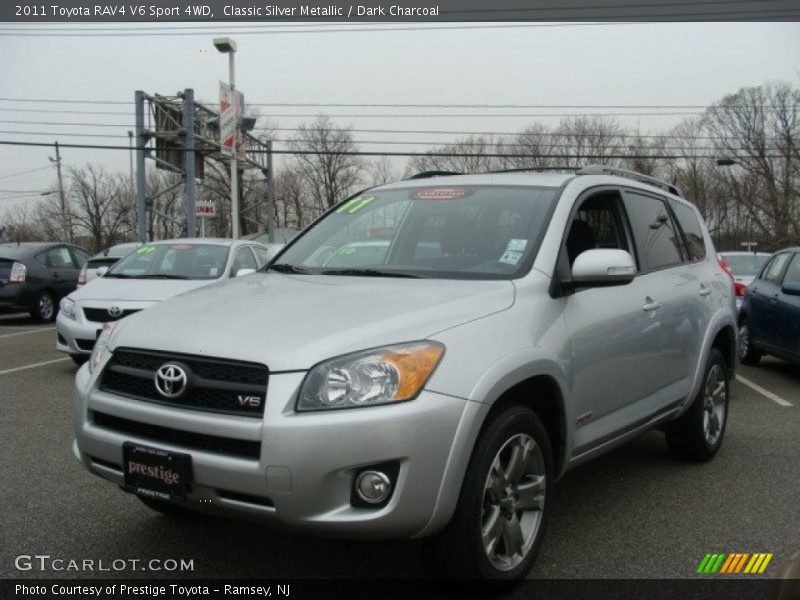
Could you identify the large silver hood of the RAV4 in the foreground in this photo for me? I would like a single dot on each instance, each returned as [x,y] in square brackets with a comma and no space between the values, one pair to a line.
[291,322]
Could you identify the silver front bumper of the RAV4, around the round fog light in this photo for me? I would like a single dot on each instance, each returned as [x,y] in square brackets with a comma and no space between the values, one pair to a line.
[303,476]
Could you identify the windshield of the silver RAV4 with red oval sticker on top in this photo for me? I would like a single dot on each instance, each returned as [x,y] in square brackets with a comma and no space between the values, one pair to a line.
[477,232]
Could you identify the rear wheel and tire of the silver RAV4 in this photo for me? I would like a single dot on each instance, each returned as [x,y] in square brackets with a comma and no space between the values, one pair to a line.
[697,435]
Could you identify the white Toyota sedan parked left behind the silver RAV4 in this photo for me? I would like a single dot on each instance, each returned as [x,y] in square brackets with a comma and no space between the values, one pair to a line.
[150,274]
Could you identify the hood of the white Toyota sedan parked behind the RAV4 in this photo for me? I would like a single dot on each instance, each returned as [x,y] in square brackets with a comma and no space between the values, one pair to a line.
[135,290]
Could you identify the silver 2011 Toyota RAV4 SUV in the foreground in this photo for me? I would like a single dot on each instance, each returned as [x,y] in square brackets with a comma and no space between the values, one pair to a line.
[488,333]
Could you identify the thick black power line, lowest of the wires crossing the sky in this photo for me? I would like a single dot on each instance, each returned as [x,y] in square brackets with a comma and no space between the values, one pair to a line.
[587,155]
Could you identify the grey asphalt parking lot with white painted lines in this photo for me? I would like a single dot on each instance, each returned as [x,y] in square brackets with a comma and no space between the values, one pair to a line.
[633,513]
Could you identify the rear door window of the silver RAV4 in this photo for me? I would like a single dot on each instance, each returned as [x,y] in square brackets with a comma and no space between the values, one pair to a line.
[657,240]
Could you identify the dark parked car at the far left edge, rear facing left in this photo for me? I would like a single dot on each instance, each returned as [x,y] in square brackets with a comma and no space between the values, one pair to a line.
[34,276]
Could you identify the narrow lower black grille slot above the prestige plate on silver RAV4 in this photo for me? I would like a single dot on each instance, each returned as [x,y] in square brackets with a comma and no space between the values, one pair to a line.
[185,439]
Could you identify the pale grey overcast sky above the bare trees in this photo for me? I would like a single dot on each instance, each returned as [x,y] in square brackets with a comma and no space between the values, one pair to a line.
[612,64]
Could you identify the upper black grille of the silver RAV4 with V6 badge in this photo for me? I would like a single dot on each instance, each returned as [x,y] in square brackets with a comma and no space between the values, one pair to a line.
[216,385]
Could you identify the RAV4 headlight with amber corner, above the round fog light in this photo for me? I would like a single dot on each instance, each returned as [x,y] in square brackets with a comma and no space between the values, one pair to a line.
[378,376]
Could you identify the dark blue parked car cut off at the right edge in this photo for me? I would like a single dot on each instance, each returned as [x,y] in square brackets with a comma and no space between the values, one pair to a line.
[769,321]
